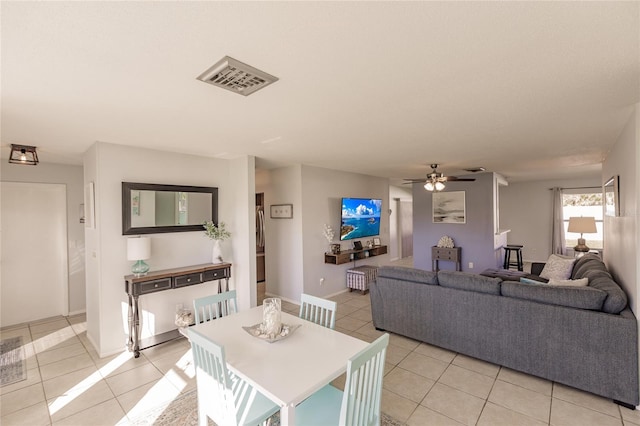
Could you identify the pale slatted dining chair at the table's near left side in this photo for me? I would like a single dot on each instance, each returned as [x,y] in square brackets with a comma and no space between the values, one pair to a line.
[222,396]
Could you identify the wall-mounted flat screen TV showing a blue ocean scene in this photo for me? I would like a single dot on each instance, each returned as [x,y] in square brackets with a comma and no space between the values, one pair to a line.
[360,218]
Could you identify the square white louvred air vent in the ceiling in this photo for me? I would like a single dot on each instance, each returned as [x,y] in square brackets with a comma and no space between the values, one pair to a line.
[233,75]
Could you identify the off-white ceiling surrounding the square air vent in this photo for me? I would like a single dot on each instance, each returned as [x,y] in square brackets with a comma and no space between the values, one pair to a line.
[528,89]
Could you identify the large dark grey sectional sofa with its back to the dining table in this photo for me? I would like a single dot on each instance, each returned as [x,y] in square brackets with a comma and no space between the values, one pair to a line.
[584,337]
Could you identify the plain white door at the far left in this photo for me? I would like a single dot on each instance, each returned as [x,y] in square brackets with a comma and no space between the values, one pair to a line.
[33,251]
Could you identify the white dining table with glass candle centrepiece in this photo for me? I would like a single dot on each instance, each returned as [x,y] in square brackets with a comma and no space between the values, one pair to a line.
[289,370]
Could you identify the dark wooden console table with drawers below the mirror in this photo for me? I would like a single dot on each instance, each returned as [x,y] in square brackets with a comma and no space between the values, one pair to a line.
[167,279]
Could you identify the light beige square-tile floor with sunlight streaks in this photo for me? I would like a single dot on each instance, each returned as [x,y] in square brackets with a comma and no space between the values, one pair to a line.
[68,384]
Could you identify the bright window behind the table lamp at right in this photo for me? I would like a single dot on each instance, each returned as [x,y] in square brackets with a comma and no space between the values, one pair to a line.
[578,203]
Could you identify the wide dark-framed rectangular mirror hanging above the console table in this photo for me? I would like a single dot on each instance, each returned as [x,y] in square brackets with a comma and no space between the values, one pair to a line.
[149,208]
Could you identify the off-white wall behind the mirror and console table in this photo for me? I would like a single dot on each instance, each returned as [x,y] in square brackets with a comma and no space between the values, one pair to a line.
[108,165]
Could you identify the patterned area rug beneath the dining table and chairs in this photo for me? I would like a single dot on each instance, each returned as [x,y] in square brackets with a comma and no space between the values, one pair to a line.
[183,411]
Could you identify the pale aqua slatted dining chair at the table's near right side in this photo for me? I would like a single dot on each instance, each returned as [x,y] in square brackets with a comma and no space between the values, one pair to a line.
[359,404]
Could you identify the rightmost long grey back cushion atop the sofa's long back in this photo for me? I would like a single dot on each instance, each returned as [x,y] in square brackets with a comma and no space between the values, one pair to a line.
[572,297]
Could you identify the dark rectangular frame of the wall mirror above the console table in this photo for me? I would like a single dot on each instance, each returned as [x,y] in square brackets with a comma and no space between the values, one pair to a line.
[127,187]
